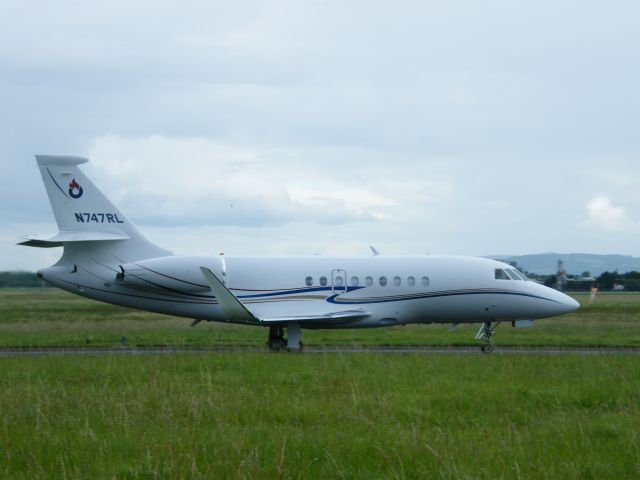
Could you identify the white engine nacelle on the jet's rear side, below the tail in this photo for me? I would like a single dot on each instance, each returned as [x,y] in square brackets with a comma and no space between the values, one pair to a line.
[179,274]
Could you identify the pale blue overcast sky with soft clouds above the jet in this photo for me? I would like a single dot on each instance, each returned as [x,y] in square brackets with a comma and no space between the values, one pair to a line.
[303,127]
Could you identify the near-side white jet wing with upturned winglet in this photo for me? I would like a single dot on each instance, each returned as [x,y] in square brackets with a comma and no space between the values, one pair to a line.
[235,310]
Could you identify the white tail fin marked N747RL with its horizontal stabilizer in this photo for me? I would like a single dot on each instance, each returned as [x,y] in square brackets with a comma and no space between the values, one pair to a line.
[84,214]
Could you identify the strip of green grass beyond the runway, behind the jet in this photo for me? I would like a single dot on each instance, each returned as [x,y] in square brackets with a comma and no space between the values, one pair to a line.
[53,318]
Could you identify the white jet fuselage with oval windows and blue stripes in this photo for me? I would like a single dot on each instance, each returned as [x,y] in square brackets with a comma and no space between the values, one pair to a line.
[393,290]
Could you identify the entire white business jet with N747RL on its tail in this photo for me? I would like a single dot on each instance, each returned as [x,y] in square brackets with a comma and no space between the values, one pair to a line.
[106,258]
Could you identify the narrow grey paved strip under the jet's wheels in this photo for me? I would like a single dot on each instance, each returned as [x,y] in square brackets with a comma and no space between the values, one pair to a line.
[400,350]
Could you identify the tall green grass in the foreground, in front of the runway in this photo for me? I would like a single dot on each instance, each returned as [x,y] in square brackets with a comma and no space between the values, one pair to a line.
[363,416]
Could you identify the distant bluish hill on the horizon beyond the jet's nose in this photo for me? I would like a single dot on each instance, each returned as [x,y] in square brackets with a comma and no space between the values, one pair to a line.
[574,263]
